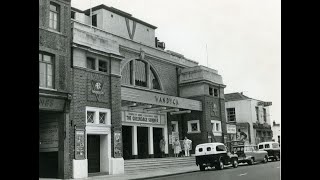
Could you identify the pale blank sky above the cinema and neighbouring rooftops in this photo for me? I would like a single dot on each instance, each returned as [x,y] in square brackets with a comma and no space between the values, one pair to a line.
[241,39]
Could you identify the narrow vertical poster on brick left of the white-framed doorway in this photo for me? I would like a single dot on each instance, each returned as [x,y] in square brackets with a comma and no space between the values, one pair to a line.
[79,144]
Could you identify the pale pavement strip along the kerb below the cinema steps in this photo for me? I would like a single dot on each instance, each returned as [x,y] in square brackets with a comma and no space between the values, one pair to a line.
[143,174]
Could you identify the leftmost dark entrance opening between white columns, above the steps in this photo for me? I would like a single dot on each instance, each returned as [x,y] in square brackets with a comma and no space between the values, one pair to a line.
[127,142]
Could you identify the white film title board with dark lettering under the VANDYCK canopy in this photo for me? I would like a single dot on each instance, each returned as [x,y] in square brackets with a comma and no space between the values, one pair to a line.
[142,117]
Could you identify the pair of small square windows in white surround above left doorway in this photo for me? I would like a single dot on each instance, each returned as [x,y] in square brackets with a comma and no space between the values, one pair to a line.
[96,116]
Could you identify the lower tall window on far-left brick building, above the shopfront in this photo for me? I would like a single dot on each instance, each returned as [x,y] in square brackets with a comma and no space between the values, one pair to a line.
[46,70]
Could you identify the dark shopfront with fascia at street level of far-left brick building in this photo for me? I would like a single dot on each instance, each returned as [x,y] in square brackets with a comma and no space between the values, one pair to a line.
[53,149]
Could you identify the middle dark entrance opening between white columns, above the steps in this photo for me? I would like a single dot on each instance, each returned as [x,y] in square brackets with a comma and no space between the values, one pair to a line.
[142,138]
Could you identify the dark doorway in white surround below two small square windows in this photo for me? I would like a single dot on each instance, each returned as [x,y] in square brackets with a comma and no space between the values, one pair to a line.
[93,153]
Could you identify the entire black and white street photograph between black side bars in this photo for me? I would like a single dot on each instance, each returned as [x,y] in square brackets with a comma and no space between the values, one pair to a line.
[160,89]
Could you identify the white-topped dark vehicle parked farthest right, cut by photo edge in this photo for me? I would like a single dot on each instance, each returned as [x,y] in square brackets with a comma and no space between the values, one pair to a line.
[273,149]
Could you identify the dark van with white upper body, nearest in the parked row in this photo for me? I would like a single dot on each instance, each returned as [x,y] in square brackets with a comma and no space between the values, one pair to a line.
[214,155]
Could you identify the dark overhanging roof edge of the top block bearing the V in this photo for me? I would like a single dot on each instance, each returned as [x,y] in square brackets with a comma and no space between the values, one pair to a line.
[119,12]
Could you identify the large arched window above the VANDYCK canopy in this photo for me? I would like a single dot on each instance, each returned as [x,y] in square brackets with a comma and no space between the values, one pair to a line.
[140,73]
